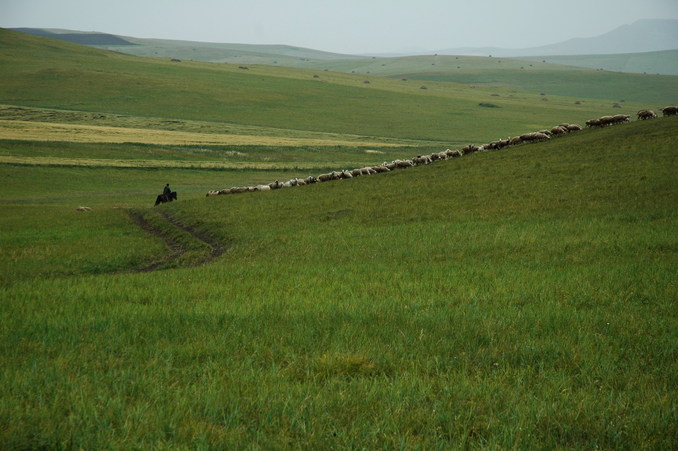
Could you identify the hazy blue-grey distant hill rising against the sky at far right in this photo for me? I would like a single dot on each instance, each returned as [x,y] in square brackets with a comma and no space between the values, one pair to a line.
[641,36]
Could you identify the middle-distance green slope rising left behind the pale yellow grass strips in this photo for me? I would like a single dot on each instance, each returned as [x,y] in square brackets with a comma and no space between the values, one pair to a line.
[47,73]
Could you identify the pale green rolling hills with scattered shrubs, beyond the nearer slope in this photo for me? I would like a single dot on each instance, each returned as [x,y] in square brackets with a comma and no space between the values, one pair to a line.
[574,75]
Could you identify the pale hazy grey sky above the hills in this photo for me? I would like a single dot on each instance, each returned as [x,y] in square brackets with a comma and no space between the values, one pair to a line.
[344,26]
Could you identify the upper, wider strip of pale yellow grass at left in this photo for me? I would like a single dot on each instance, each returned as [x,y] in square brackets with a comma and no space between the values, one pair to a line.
[45,131]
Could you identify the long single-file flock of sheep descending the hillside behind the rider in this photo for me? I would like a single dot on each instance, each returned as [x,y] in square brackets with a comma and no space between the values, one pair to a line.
[542,135]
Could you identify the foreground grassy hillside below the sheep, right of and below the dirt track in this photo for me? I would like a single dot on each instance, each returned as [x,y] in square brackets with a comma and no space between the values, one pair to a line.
[518,299]
